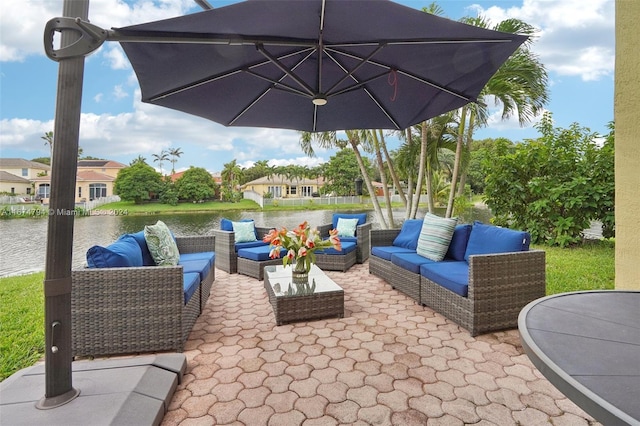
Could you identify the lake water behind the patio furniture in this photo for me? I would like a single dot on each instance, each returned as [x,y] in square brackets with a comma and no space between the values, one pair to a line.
[24,241]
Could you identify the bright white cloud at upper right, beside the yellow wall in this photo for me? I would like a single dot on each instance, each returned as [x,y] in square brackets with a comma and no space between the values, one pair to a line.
[576,38]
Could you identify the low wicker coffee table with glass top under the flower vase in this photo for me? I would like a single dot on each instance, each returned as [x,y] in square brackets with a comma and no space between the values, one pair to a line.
[321,298]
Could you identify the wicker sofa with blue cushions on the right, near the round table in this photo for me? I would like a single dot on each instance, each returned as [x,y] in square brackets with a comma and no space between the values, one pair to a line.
[481,284]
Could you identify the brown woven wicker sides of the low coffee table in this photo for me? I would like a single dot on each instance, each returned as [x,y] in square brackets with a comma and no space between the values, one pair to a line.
[305,308]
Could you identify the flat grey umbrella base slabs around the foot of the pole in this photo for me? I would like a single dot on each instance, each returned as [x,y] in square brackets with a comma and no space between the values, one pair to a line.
[132,391]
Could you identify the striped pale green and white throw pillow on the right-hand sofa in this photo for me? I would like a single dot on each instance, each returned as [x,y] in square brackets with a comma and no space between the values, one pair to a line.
[435,236]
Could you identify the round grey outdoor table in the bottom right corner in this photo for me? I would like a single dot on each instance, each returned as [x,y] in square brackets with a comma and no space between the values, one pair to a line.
[587,344]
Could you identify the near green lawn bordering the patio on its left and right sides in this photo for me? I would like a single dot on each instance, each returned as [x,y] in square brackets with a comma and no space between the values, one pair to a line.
[587,267]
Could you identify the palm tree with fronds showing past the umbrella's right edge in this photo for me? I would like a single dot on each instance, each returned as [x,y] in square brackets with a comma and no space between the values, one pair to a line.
[520,85]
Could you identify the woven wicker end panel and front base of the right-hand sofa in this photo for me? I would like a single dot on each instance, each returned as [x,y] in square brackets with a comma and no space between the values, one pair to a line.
[500,285]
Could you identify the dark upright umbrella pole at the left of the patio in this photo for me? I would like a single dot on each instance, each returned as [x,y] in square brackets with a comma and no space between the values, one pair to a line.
[57,282]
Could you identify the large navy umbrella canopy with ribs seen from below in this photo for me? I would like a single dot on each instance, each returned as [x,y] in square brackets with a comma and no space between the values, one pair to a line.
[314,65]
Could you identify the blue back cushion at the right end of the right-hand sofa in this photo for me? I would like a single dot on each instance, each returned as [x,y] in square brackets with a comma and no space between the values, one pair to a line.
[486,239]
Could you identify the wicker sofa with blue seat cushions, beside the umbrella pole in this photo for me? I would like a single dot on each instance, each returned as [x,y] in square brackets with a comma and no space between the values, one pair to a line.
[124,310]
